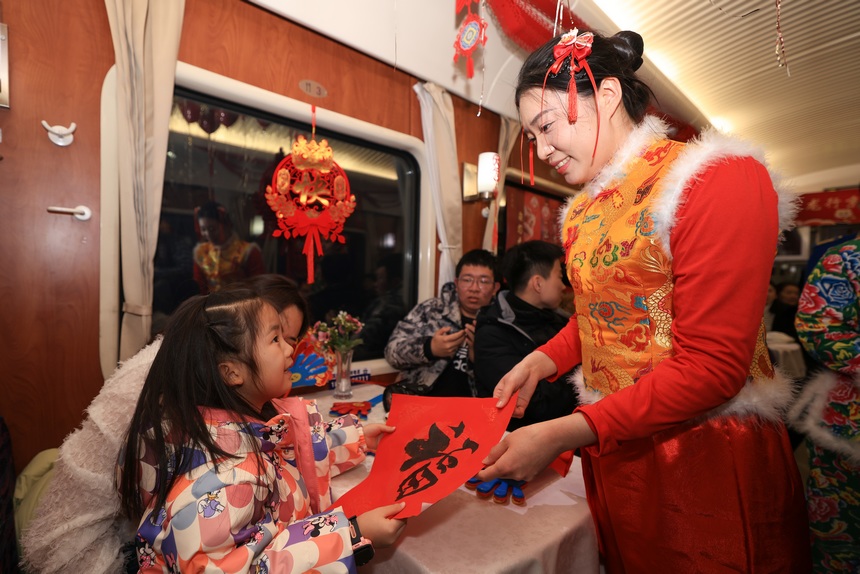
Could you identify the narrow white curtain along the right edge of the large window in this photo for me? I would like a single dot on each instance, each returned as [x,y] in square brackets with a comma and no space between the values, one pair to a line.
[437,120]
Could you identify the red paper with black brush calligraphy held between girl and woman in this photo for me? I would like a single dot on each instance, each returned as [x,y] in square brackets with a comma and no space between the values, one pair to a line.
[438,445]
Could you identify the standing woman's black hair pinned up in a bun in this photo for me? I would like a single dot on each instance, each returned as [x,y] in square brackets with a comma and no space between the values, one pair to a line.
[618,57]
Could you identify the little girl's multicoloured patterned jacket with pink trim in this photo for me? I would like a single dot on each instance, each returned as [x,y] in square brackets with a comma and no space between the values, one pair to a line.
[250,515]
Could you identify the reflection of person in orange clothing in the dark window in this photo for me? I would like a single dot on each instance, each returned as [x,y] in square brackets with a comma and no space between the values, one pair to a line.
[222,257]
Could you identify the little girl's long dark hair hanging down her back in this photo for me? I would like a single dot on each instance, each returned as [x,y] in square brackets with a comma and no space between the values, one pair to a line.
[205,331]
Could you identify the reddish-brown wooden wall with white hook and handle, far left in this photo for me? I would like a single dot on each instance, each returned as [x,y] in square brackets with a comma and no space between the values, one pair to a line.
[59,53]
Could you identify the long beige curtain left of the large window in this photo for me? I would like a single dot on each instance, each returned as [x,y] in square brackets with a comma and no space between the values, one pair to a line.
[145,37]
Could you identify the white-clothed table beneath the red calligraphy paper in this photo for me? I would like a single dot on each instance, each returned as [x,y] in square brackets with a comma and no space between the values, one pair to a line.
[553,532]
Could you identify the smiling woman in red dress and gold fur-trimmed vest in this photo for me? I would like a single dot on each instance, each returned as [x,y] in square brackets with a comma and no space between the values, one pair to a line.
[669,248]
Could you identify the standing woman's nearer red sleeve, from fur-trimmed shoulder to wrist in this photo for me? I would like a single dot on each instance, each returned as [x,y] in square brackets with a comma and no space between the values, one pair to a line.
[723,246]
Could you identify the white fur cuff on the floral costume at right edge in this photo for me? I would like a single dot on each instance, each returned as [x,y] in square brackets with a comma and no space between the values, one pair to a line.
[807,416]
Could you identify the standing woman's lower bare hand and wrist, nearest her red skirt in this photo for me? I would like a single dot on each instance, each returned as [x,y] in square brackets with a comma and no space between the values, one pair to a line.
[528,450]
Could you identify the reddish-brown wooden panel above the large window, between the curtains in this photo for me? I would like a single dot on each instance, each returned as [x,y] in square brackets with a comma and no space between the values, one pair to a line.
[245,42]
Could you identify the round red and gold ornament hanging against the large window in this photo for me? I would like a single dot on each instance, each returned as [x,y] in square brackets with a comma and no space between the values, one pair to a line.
[310,196]
